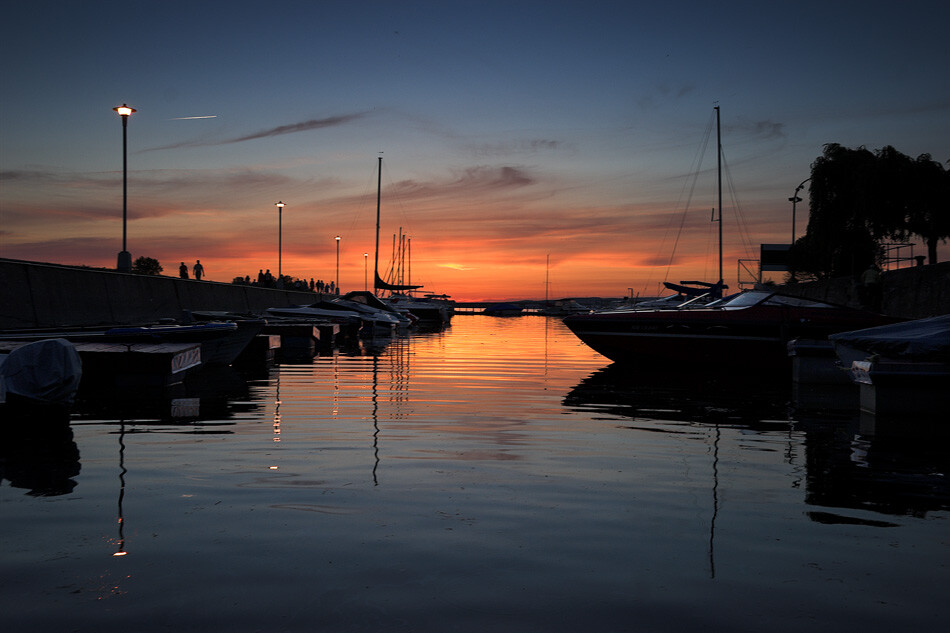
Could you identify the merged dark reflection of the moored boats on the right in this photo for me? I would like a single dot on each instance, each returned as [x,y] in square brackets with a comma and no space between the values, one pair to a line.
[852,461]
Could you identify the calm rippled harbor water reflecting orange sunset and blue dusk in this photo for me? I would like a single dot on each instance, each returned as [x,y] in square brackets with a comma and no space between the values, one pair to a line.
[497,476]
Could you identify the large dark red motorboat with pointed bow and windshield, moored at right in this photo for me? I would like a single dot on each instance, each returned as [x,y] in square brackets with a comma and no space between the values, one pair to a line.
[749,330]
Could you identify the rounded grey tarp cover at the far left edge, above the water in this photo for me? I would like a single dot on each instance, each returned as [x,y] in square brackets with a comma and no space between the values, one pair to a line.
[47,370]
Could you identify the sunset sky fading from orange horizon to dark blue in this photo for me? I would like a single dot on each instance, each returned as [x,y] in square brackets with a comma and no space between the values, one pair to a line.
[513,134]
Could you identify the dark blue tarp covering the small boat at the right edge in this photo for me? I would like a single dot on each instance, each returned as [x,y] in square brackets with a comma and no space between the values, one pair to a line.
[922,339]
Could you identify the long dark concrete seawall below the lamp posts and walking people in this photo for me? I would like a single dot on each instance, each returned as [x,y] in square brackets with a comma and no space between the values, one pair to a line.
[48,295]
